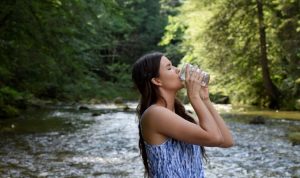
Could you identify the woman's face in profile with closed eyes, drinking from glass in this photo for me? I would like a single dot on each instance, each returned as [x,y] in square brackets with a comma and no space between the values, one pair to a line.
[169,75]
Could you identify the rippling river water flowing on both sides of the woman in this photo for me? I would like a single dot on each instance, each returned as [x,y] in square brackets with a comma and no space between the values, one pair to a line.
[67,142]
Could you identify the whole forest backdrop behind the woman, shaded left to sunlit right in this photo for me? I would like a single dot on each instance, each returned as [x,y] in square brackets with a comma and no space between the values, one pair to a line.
[82,51]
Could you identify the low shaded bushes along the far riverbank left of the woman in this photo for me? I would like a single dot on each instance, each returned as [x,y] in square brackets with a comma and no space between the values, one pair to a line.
[14,103]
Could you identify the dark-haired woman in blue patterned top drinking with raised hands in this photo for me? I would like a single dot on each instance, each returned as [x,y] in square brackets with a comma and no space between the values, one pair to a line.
[172,142]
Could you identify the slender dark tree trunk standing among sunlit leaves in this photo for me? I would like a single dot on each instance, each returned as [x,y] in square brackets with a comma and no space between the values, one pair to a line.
[270,88]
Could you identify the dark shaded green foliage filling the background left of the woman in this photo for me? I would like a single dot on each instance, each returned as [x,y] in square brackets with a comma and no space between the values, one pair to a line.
[74,50]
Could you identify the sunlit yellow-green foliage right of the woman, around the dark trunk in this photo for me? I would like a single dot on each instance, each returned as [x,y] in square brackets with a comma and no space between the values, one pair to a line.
[222,37]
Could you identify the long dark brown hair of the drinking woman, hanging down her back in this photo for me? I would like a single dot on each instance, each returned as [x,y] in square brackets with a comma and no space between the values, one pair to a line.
[144,69]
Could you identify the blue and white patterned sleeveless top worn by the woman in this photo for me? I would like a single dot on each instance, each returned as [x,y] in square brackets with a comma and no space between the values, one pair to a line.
[174,159]
